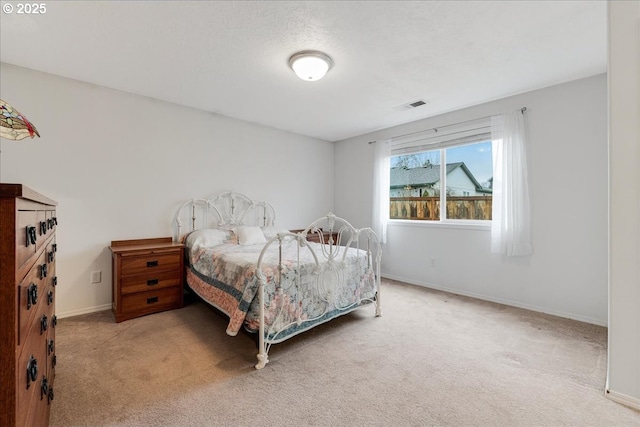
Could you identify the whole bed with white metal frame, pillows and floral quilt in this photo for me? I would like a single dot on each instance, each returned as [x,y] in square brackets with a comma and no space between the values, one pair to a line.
[270,281]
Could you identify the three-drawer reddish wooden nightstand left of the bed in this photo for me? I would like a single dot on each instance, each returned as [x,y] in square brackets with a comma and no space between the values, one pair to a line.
[147,276]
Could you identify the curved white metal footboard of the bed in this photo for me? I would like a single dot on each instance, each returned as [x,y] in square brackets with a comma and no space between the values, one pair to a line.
[358,248]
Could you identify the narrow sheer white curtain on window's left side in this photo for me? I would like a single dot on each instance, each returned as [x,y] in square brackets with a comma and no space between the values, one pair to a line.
[381,173]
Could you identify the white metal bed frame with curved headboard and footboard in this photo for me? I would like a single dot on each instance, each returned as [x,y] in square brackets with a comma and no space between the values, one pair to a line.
[233,209]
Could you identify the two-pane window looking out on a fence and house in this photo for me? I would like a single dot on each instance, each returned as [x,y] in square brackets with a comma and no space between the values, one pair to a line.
[420,185]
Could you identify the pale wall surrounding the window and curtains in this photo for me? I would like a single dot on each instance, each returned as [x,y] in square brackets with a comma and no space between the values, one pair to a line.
[567,274]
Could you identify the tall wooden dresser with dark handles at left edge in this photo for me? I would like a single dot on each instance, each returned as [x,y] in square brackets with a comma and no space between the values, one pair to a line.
[27,305]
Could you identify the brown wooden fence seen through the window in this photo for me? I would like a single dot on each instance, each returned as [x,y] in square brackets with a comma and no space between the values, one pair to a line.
[428,208]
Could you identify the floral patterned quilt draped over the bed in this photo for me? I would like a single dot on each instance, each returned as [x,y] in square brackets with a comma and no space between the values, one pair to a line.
[299,295]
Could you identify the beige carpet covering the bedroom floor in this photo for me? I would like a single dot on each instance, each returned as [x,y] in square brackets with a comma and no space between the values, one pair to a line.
[432,359]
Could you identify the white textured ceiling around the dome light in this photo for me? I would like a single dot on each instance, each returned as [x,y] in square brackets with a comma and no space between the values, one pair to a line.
[231,58]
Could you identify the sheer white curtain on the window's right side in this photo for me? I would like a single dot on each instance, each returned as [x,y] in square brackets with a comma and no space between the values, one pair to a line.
[511,216]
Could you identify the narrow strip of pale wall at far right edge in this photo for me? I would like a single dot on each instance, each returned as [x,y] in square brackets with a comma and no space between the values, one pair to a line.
[623,383]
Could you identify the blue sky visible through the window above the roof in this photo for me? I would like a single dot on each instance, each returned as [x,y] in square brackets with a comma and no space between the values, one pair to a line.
[477,157]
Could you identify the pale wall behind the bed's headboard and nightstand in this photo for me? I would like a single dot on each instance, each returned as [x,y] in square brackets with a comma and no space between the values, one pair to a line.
[120,164]
